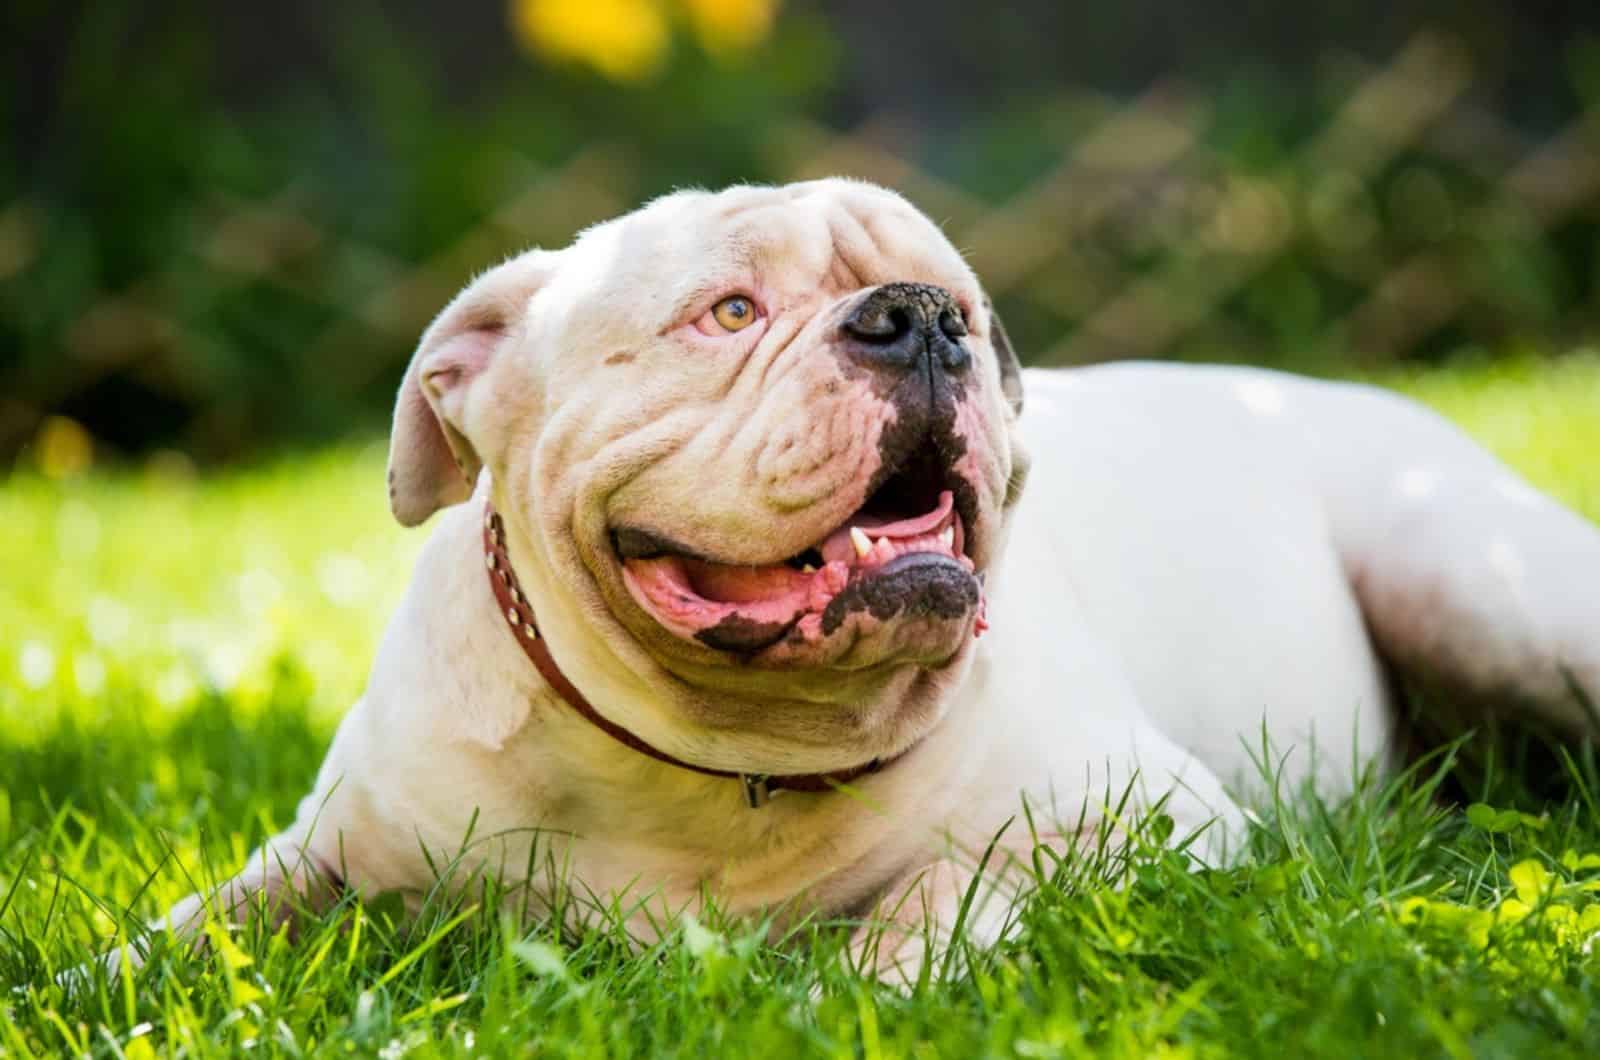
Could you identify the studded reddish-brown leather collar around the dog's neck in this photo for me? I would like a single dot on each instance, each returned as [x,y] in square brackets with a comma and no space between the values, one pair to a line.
[518,611]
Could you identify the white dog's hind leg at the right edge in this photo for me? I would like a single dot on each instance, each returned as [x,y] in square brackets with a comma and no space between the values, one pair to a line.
[1473,584]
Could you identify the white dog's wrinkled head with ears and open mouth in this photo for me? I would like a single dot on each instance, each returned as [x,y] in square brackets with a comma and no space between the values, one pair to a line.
[754,452]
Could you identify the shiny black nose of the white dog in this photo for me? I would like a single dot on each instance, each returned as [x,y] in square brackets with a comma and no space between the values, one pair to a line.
[900,326]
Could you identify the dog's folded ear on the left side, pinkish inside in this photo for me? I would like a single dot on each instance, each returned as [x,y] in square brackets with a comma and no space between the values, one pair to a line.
[431,459]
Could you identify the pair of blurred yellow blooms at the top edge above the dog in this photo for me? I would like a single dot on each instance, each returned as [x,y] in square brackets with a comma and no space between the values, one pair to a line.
[628,39]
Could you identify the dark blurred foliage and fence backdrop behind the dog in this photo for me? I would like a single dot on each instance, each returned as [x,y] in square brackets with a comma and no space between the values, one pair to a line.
[225,225]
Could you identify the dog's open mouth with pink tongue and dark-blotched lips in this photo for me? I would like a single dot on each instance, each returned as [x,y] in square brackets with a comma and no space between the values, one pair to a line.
[902,555]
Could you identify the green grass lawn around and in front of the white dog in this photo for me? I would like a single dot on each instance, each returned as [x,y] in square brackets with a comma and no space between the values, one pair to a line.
[174,656]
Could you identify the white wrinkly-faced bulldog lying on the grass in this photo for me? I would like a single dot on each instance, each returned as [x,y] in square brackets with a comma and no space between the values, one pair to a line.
[750,600]
